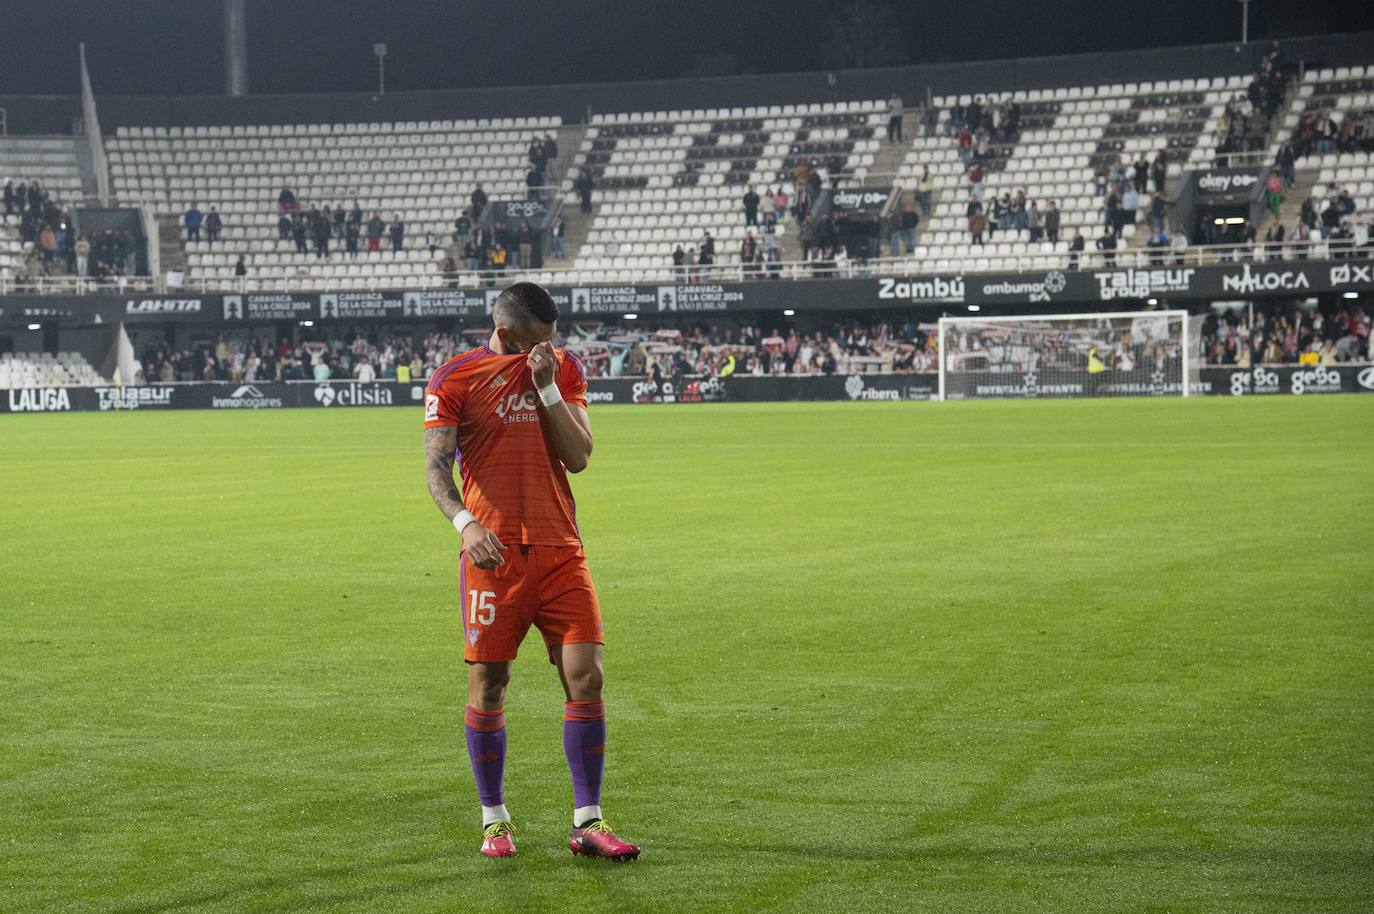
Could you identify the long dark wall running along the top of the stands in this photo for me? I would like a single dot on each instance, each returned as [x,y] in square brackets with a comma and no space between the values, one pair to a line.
[53,115]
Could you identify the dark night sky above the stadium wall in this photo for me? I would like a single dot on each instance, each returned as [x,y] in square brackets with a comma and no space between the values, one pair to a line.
[175,47]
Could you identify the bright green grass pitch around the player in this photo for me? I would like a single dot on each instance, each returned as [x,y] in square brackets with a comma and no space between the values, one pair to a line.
[1078,656]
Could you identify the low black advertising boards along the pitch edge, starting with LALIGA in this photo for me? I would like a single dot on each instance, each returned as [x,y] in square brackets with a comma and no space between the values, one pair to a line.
[1263,380]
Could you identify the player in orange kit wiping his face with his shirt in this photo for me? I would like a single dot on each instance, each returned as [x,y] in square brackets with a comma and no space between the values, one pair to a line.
[515,416]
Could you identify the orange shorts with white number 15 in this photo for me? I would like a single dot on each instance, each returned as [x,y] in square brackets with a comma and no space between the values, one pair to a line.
[546,586]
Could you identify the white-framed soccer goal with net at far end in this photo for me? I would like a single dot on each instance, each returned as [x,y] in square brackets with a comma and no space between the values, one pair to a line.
[1130,354]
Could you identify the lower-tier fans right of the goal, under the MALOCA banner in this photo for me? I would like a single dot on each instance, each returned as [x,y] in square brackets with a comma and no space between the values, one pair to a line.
[1288,335]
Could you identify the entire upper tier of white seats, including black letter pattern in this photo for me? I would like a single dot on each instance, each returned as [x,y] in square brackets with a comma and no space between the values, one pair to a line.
[666,179]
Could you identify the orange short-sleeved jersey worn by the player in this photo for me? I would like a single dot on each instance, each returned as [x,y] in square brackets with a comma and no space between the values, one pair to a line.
[513,482]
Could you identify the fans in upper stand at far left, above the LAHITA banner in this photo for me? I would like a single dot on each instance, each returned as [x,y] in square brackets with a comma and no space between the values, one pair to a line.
[52,244]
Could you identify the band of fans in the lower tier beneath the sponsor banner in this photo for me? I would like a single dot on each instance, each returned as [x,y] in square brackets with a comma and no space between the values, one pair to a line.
[1277,335]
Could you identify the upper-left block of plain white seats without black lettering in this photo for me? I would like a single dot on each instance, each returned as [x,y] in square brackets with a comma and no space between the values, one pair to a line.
[423,171]
